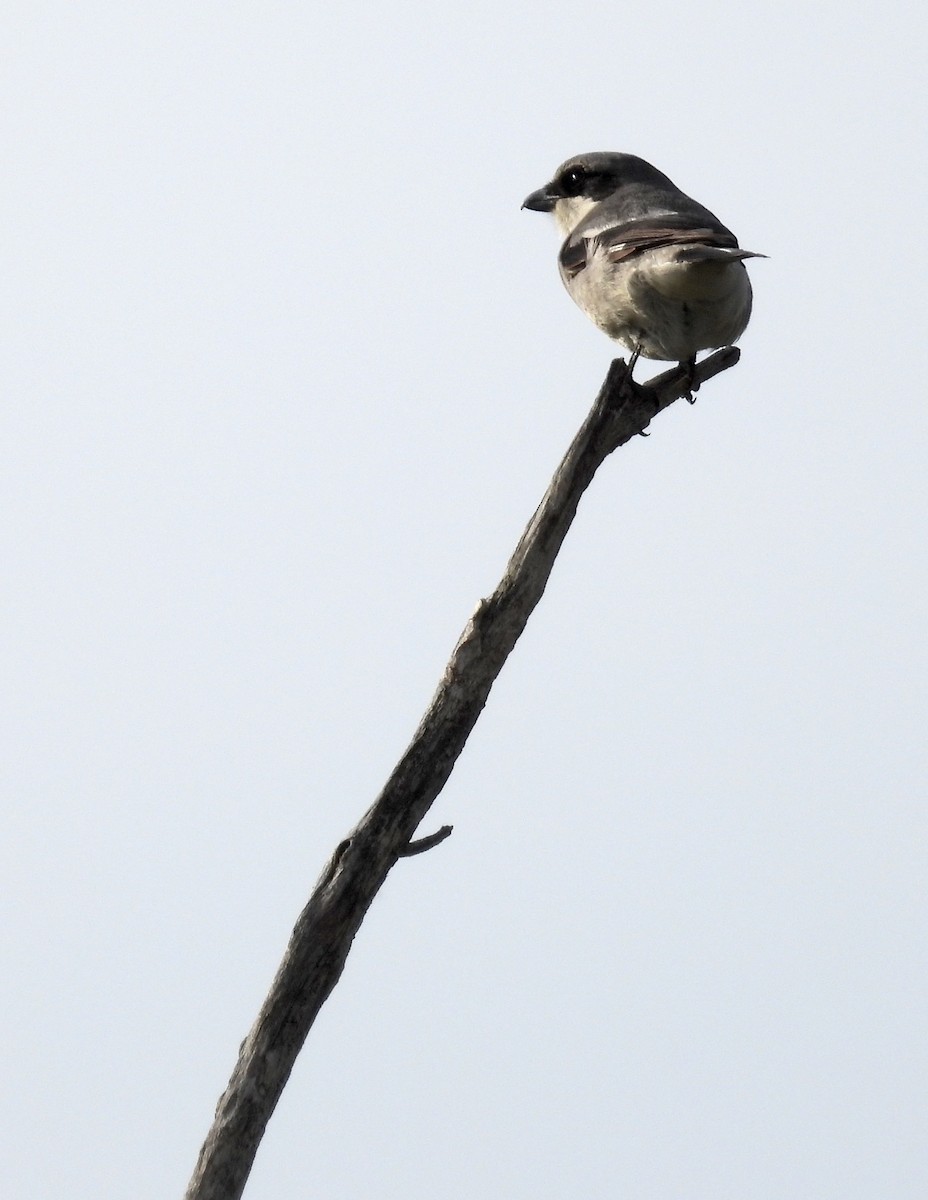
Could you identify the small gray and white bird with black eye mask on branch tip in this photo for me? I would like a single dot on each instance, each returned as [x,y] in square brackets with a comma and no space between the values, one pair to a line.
[652,268]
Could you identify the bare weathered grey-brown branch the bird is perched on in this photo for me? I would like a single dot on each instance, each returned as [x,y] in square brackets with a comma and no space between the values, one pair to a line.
[325,932]
